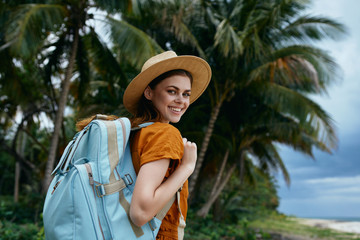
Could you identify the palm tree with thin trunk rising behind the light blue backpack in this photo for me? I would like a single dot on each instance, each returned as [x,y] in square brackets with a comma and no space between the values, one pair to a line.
[62,32]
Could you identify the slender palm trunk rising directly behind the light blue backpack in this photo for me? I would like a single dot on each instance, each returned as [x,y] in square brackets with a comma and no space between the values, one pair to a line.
[60,113]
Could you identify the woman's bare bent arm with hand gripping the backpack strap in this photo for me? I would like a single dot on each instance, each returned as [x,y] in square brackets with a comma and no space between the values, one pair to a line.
[150,193]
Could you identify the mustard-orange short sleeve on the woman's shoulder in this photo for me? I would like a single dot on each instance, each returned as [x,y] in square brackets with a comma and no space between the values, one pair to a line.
[161,141]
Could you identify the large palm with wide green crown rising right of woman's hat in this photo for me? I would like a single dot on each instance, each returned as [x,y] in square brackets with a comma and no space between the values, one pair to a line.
[242,42]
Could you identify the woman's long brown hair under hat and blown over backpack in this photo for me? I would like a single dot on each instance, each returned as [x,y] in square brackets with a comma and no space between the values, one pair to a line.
[146,112]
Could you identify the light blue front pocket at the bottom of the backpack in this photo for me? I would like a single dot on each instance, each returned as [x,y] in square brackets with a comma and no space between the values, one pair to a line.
[70,210]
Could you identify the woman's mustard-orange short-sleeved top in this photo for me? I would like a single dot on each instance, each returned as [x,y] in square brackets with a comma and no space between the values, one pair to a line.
[155,142]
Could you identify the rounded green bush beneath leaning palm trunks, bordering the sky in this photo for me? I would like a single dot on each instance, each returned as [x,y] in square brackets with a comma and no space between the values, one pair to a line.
[249,198]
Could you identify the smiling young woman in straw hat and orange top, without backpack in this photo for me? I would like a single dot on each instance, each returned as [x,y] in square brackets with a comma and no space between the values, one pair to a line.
[163,160]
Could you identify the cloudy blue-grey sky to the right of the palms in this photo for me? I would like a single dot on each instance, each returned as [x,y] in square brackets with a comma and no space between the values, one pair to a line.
[329,186]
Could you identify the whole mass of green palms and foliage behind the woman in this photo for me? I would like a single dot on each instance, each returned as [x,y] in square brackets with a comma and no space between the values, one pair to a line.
[63,60]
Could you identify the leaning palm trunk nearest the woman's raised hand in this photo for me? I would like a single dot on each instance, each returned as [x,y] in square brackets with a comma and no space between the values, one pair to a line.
[204,146]
